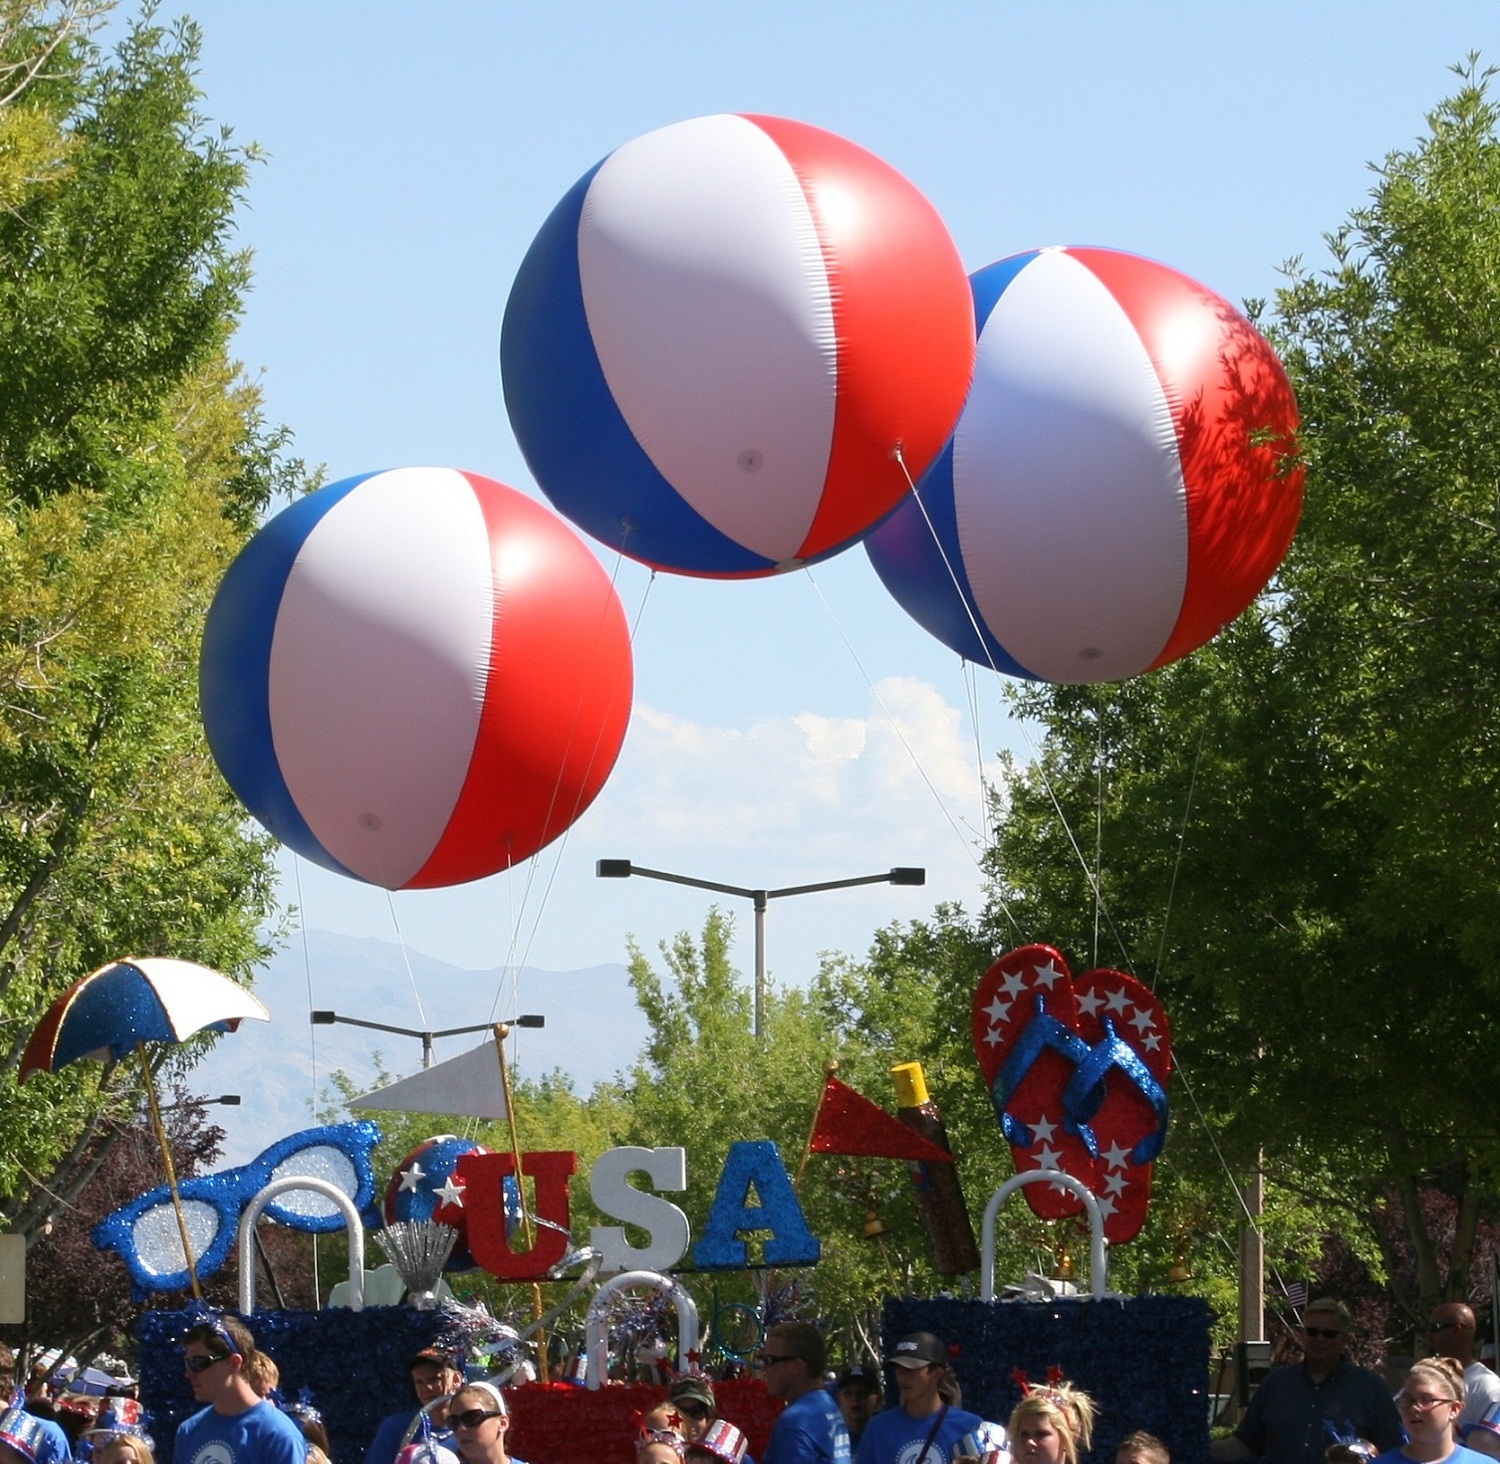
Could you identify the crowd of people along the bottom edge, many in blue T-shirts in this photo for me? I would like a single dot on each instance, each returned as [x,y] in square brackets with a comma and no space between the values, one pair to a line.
[1319,1411]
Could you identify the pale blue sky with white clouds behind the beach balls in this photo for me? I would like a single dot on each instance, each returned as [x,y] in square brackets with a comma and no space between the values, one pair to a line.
[785,731]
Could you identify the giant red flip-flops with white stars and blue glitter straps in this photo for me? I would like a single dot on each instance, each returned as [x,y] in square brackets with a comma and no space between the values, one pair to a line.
[1078,1073]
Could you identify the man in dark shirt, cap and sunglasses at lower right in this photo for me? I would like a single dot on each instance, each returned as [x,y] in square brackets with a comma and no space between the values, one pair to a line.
[1298,1409]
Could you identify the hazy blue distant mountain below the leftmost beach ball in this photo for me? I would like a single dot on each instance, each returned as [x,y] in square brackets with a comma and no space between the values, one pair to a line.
[593,1031]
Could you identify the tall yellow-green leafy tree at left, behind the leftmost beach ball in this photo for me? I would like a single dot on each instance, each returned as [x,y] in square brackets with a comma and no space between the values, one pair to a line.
[134,461]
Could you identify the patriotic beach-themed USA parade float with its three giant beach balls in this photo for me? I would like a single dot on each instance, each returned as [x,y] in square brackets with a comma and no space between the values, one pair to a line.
[737,346]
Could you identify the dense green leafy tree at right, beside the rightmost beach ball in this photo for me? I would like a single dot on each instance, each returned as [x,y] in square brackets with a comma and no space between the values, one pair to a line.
[1298,823]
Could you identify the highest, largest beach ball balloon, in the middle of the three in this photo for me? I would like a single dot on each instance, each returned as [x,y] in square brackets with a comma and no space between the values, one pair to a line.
[727,340]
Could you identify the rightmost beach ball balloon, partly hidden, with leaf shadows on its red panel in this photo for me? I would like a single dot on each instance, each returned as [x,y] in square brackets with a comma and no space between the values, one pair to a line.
[1118,488]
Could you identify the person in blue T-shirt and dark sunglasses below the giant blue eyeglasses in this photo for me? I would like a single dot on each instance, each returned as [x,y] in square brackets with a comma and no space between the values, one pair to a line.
[235,1423]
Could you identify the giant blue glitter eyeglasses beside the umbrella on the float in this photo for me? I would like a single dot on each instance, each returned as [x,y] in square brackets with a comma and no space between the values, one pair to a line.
[214,1204]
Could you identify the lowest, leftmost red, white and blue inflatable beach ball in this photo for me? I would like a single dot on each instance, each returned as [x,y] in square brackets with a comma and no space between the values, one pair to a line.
[416,677]
